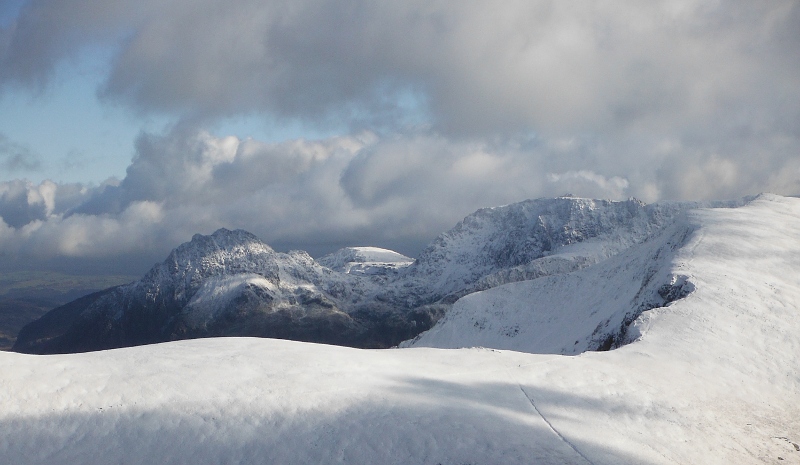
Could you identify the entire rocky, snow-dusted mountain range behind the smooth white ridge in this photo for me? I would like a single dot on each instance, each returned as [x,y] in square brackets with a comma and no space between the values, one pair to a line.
[232,284]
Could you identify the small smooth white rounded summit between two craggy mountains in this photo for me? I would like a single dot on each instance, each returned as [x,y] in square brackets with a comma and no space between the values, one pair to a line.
[366,260]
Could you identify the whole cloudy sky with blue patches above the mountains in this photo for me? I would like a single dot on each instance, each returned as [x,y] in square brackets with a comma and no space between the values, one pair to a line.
[127,127]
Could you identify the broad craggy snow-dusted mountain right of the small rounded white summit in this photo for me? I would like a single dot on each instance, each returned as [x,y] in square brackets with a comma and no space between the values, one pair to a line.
[535,238]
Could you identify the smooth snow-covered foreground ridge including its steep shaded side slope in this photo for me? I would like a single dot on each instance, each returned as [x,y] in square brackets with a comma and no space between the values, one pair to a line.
[711,377]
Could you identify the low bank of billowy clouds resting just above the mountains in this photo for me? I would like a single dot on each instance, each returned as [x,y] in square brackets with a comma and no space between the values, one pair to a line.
[395,191]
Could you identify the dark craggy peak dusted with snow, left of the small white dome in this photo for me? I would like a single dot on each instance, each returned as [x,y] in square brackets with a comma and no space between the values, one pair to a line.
[228,283]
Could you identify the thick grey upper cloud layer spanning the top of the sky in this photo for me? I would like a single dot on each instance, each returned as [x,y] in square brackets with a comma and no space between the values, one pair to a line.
[478,67]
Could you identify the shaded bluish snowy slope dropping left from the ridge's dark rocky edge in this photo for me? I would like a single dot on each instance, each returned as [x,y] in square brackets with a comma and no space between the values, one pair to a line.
[569,313]
